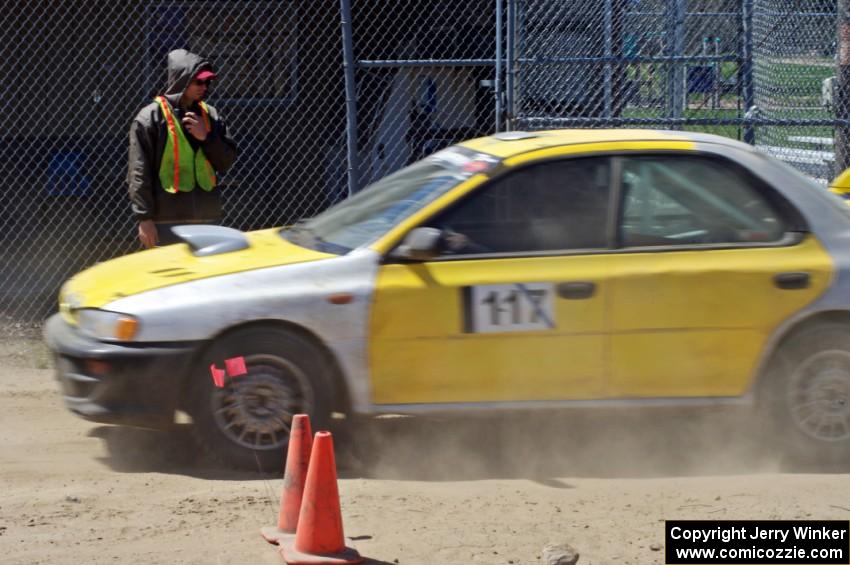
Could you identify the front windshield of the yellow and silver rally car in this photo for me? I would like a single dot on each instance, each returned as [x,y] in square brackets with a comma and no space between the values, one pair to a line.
[363,218]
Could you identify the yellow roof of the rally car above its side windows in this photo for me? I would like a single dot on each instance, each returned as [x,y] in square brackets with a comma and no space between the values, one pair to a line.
[508,144]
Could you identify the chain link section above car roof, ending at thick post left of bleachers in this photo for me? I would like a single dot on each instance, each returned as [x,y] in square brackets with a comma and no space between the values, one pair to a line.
[656,63]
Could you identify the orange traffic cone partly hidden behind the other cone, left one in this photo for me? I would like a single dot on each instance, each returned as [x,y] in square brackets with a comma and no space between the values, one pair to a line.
[297,459]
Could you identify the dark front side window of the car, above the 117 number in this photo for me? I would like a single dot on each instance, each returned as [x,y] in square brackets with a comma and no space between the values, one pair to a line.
[551,206]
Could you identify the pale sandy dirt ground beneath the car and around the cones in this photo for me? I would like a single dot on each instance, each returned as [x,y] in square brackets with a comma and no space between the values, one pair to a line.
[493,490]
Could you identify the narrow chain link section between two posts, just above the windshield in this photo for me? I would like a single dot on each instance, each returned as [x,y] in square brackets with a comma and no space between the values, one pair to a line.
[423,79]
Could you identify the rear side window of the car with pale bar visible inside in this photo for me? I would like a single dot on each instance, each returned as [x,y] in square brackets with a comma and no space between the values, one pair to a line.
[685,200]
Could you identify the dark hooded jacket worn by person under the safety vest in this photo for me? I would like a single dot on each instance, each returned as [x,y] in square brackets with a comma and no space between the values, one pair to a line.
[148,136]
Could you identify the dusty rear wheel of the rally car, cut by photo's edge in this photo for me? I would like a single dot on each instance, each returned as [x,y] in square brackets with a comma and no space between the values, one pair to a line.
[806,396]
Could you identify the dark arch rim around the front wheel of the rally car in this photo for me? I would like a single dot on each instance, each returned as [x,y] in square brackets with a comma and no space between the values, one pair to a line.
[340,395]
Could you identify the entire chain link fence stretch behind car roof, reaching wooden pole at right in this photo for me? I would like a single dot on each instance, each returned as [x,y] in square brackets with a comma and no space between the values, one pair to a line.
[748,69]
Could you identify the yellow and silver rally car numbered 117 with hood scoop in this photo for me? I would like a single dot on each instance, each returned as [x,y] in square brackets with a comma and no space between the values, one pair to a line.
[522,270]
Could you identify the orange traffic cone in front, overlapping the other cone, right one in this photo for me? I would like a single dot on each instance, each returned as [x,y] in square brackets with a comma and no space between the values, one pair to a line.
[319,539]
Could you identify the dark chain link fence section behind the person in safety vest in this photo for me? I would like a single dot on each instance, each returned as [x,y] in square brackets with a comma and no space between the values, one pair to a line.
[74,74]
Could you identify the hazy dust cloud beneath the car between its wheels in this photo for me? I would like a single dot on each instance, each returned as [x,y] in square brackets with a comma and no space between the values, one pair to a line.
[610,443]
